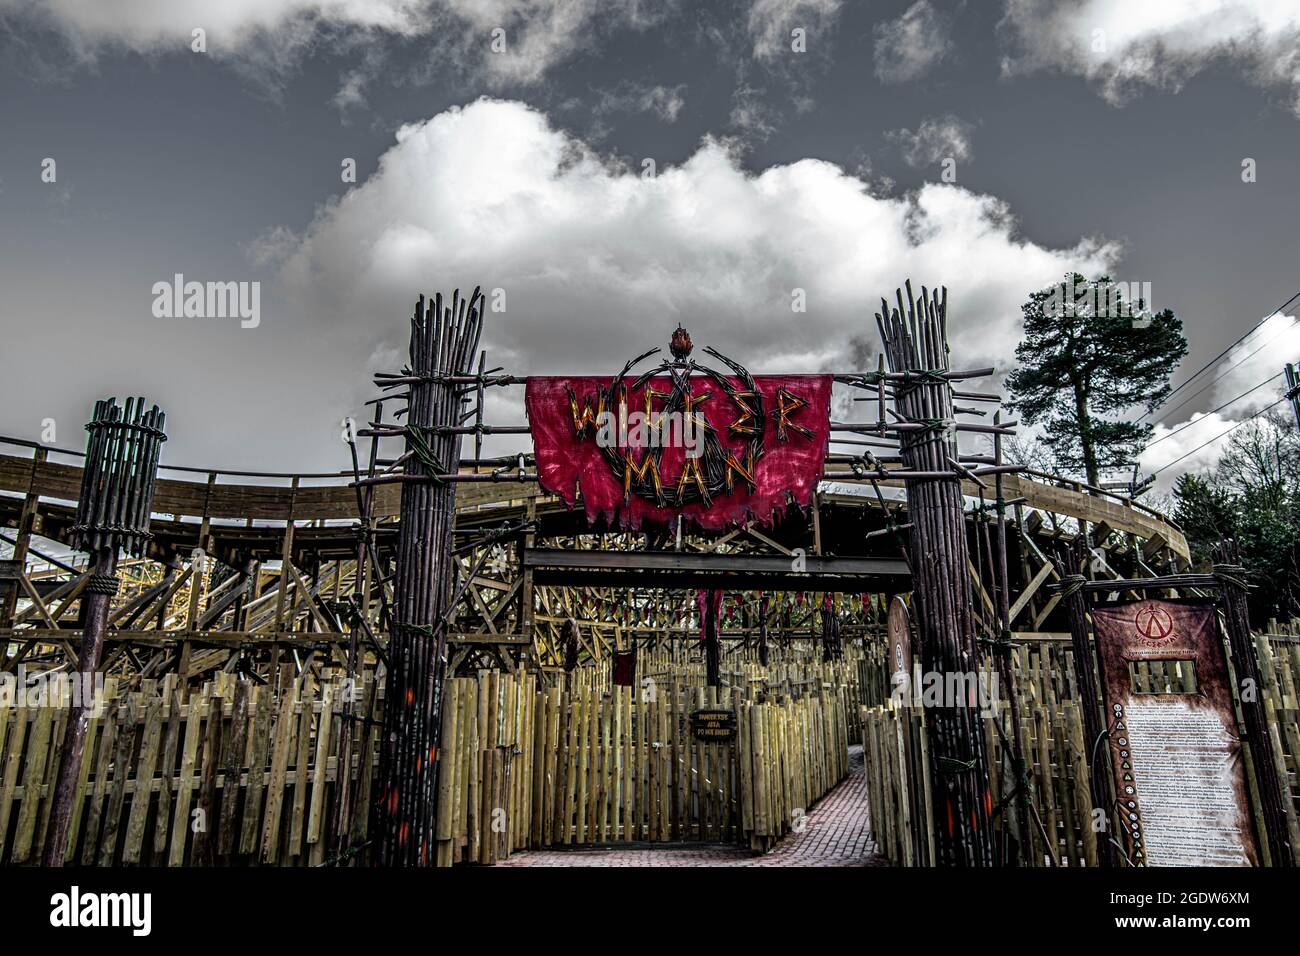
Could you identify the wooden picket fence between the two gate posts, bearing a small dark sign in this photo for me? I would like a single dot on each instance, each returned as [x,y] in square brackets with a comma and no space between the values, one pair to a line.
[575,765]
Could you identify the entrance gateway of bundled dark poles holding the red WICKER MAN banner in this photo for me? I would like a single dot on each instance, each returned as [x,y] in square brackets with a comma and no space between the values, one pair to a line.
[766,445]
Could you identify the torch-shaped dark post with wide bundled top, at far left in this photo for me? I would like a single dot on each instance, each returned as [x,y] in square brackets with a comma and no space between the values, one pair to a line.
[112,513]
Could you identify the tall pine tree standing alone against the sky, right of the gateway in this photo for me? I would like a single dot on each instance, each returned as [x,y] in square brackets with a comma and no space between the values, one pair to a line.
[1089,356]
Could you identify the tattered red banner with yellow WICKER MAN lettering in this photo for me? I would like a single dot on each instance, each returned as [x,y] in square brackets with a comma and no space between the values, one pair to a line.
[717,449]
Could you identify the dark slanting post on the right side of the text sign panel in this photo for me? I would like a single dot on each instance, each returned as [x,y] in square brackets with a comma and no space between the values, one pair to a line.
[1232,579]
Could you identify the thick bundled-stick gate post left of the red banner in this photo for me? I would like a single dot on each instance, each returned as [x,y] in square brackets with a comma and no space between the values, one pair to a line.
[444,341]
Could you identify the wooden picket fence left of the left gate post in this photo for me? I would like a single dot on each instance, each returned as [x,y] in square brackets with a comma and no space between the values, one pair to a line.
[232,777]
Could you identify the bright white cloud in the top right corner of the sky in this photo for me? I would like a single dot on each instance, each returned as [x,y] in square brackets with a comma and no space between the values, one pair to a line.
[1162,44]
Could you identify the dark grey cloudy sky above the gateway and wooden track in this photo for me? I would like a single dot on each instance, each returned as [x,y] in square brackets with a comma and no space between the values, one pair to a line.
[1091,136]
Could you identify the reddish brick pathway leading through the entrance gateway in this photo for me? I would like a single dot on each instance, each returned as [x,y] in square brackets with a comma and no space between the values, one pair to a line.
[835,836]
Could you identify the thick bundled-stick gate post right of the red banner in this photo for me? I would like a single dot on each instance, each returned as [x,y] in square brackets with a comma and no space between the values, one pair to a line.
[916,344]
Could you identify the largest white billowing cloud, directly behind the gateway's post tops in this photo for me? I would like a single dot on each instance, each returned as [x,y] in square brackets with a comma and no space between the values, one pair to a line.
[599,262]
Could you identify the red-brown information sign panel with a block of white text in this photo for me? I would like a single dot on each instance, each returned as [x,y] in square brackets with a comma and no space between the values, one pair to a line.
[1175,747]
